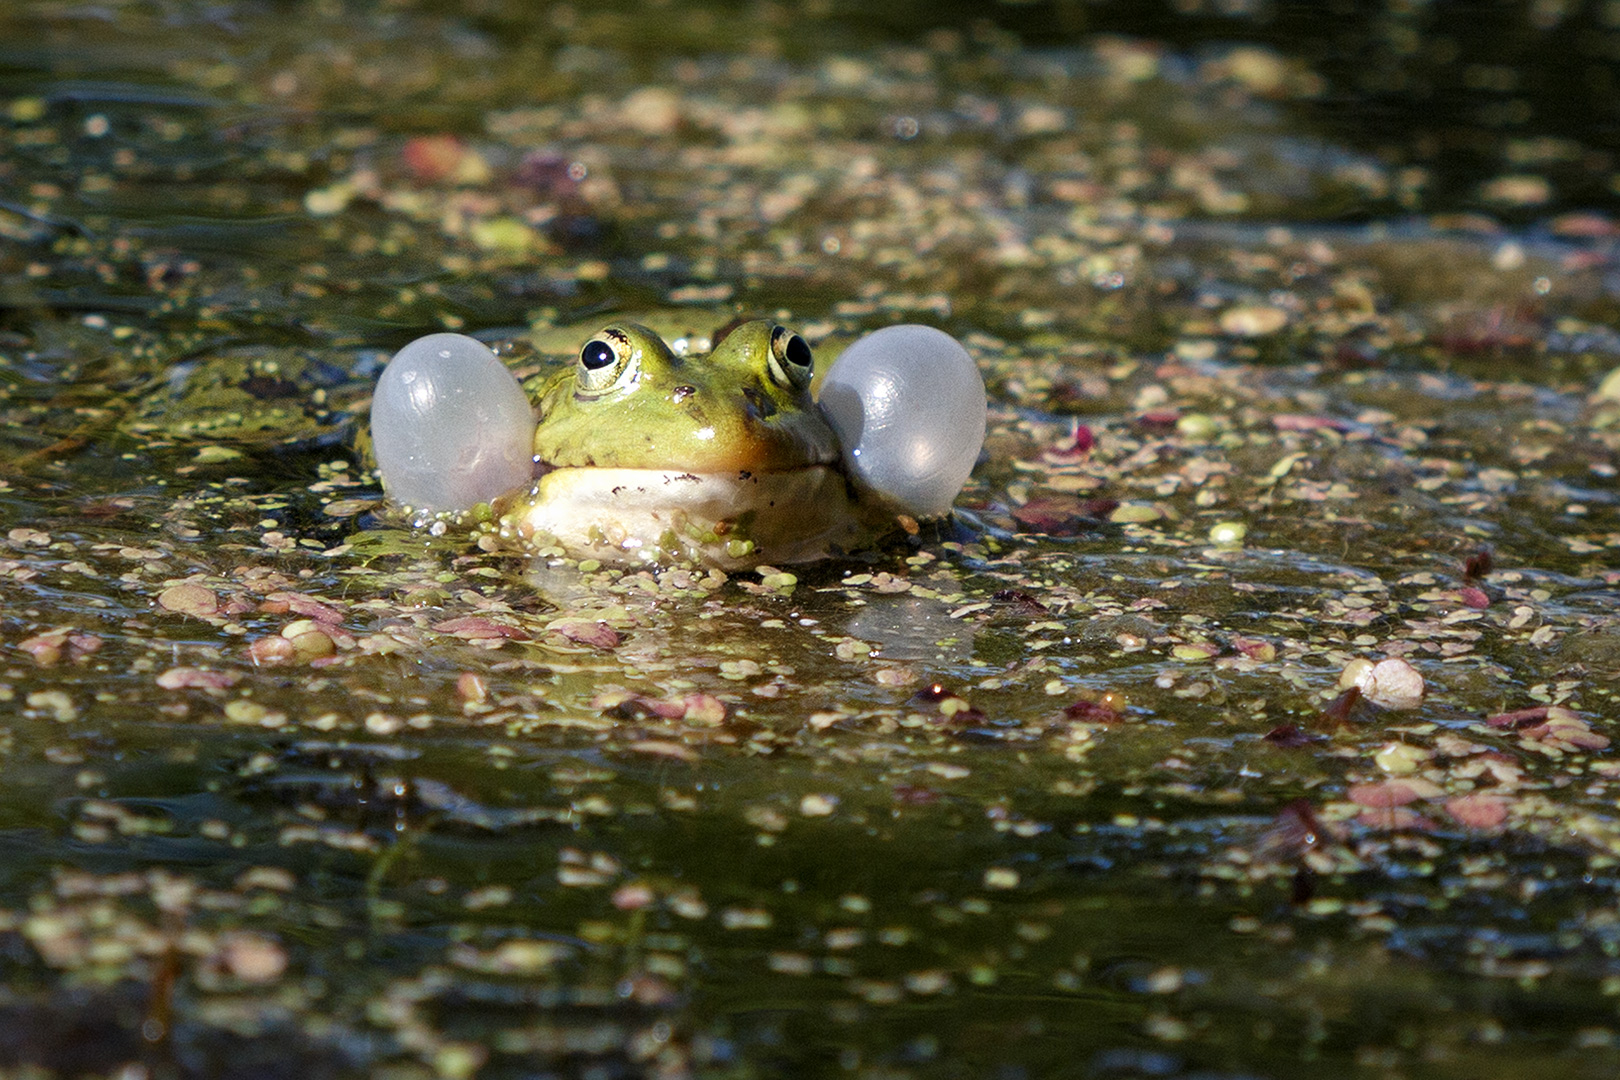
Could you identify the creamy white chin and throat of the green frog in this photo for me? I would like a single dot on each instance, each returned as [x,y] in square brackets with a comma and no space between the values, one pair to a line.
[730,521]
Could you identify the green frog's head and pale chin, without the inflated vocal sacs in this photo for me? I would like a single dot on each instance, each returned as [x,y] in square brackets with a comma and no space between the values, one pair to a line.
[720,459]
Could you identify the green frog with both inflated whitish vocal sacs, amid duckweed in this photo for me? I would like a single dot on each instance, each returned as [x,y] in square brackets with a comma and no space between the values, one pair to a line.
[646,453]
